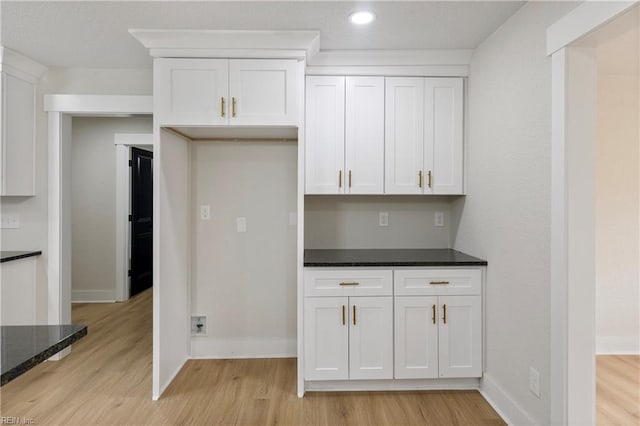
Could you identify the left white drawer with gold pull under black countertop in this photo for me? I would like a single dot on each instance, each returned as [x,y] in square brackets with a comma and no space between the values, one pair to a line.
[347,282]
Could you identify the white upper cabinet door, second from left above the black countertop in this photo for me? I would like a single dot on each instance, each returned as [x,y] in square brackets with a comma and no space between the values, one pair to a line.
[364,144]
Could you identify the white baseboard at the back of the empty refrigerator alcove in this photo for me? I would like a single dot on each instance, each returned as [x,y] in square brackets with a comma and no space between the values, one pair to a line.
[211,348]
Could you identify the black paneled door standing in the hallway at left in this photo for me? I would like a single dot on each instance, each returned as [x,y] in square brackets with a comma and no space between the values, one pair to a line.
[141,220]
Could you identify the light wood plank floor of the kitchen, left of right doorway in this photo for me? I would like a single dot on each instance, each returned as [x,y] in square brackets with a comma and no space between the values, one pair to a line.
[107,380]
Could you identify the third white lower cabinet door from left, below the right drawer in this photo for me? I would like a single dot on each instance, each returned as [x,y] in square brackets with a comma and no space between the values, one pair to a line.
[416,337]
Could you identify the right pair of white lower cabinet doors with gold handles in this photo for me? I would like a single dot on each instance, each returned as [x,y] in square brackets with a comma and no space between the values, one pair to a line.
[438,337]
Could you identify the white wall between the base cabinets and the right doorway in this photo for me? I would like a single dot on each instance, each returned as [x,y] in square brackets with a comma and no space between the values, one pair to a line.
[506,215]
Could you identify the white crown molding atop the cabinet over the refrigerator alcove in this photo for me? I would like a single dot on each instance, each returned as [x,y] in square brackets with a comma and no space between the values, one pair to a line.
[234,43]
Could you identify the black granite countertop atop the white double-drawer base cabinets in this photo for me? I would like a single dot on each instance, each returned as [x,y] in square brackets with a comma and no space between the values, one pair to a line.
[390,257]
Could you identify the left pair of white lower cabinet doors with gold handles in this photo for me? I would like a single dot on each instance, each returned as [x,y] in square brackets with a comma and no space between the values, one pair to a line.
[348,338]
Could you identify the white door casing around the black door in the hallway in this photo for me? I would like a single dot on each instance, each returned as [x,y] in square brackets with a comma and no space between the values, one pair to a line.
[123,143]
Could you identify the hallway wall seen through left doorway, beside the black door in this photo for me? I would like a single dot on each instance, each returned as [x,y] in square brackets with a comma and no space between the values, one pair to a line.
[93,209]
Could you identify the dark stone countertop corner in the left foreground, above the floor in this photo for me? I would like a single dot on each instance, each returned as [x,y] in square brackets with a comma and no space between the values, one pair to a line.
[25,346]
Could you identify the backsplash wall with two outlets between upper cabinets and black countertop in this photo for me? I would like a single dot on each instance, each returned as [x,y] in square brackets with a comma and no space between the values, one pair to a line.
[351,221]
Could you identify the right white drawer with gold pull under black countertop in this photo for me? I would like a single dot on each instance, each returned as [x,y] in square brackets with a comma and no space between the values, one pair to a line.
[417,282]
